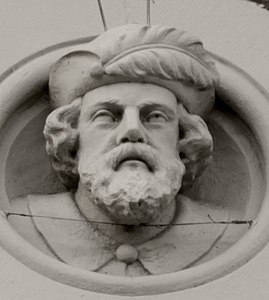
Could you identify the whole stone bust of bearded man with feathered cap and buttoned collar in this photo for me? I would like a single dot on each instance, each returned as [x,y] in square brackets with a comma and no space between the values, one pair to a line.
[127,137]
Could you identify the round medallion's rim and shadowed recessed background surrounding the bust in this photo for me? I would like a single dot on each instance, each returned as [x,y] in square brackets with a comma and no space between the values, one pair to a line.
[239,126]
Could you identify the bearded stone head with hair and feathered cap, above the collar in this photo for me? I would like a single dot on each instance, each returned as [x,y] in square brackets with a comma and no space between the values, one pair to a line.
[127,124]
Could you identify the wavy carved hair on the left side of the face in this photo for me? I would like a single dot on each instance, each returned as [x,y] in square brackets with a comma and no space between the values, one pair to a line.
[62,141]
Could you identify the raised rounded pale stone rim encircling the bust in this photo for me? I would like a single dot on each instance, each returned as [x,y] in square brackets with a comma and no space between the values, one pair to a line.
[237,90]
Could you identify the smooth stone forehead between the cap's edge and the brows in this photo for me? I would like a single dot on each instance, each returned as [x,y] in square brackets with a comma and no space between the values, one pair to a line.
[130,94]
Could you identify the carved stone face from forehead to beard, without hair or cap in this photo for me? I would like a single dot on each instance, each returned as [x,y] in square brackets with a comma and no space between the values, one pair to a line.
[128,154]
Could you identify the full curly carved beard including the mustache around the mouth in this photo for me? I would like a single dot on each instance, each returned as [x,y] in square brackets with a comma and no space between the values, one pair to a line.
[131,195]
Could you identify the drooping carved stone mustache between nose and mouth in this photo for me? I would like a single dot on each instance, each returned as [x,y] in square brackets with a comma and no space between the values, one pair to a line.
[134,151]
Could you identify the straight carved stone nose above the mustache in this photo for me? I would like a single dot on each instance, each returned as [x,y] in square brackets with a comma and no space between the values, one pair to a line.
[131,129]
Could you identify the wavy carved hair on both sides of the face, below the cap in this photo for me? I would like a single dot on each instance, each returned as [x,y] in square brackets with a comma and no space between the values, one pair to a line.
[62,142]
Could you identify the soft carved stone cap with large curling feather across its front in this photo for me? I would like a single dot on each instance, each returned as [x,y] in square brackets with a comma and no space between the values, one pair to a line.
[154,54]
